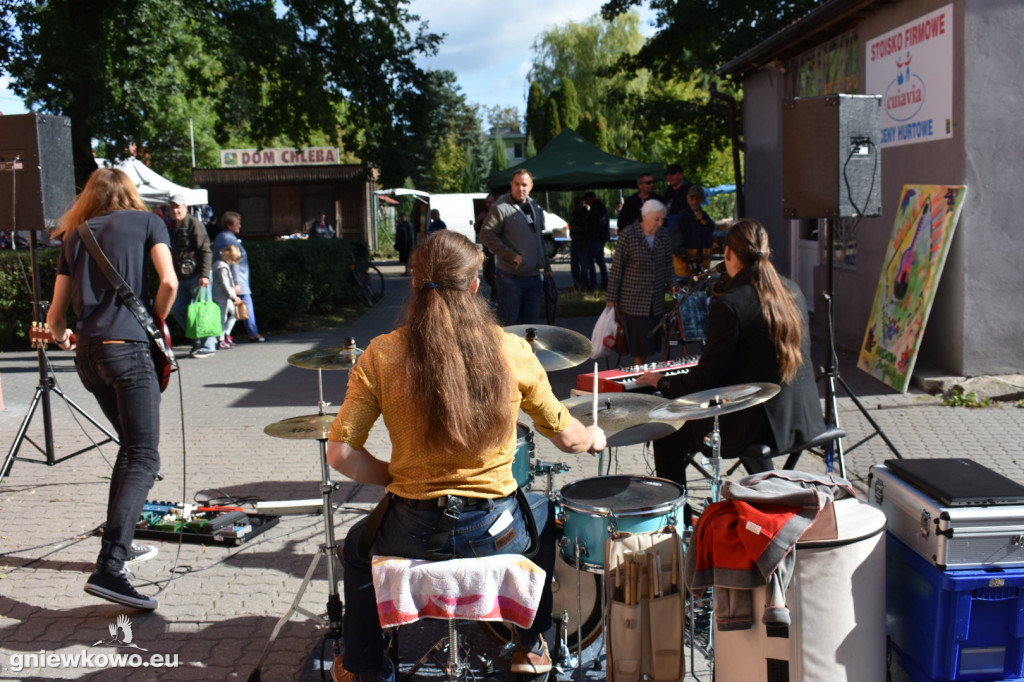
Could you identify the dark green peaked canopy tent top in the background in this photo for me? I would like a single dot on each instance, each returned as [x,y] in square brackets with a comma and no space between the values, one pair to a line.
[570,162]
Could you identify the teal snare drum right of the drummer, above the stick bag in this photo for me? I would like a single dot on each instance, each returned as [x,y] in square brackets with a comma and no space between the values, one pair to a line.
[594,508]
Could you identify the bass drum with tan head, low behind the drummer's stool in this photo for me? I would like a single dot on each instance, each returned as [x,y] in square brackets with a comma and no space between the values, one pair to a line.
[564,589]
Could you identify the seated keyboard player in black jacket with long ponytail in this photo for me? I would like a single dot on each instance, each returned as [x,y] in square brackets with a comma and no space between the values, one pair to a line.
[757,332]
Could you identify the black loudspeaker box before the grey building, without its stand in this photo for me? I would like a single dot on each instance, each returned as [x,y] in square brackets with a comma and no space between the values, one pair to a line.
[831,164]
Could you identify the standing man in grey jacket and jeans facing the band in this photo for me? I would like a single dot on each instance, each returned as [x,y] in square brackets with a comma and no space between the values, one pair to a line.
[514,232]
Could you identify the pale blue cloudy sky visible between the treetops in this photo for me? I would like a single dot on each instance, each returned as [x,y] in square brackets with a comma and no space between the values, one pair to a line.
[489,52]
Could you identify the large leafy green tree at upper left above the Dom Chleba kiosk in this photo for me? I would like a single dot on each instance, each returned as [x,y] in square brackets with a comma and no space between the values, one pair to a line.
[133,74]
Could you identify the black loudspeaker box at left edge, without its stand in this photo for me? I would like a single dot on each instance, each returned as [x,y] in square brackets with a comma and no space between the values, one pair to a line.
[37,175]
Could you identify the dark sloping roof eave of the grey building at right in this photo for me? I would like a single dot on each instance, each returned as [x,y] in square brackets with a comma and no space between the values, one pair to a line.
[830,20]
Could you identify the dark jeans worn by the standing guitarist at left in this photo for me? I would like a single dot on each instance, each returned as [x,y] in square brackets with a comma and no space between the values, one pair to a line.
[123,379]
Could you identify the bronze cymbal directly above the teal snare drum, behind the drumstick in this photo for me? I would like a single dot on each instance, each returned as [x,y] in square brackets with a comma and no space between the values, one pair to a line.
[624,417]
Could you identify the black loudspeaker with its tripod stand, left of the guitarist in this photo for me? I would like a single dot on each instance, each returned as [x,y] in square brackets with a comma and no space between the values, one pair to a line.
[37,182]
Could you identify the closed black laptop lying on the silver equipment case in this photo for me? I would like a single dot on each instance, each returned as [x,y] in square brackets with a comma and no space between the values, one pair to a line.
[959,482]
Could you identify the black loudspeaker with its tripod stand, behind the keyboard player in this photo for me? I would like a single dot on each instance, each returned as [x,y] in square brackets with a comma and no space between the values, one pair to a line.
[832,170]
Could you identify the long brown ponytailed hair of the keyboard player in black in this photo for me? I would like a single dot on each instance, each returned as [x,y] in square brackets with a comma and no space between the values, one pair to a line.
[749,242]
